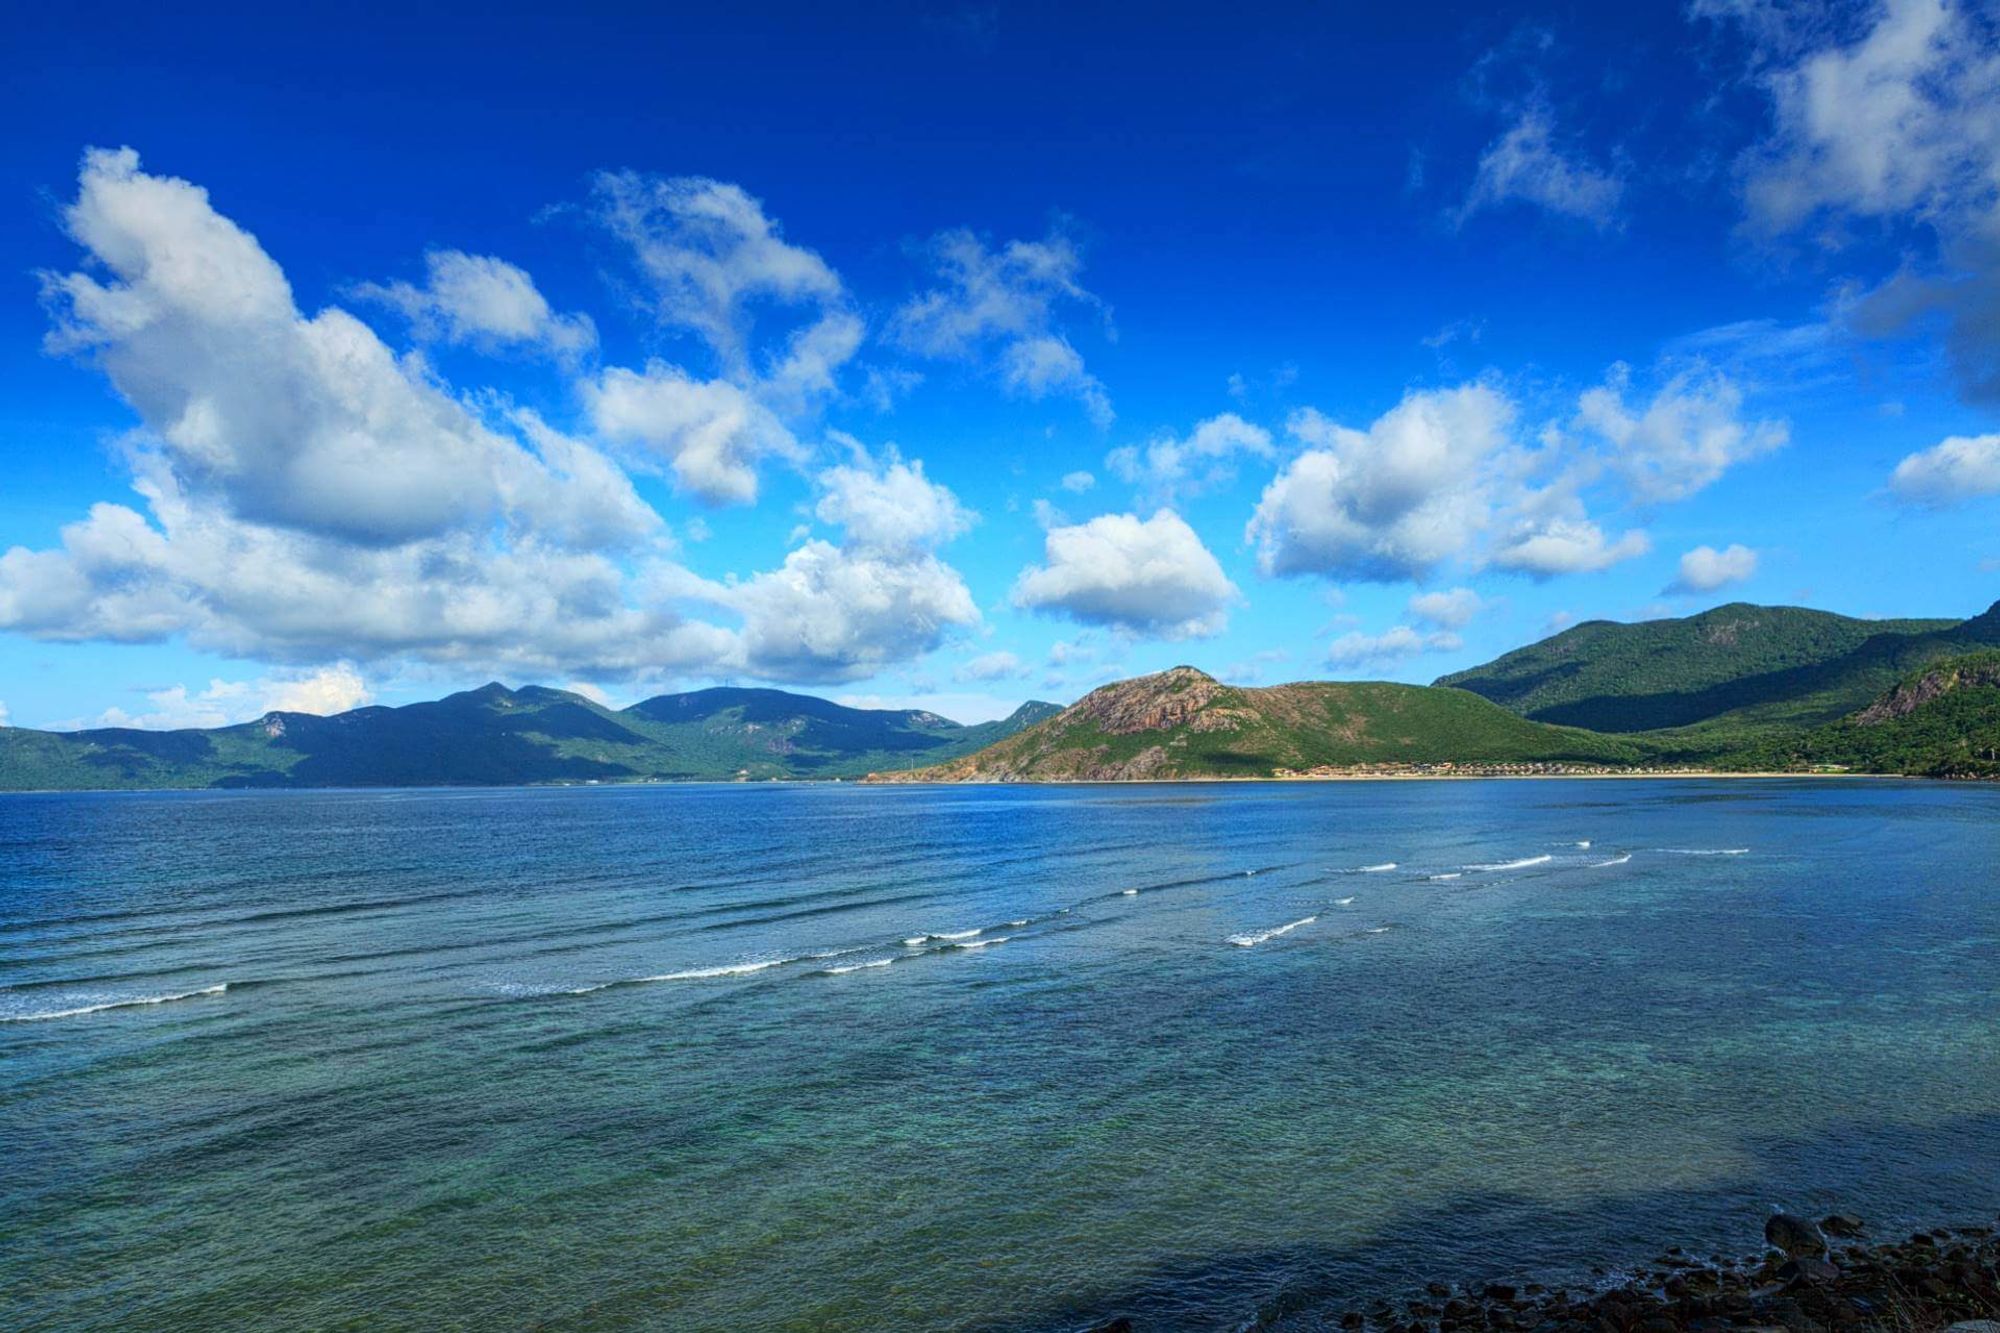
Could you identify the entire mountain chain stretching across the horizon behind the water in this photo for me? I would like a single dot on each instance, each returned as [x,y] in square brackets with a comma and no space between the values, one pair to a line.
[1735,688]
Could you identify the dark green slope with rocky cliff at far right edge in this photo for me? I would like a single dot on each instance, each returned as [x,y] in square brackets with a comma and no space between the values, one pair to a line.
[1939,722]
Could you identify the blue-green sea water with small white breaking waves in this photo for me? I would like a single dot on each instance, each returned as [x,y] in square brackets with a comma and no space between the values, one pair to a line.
[731,1058]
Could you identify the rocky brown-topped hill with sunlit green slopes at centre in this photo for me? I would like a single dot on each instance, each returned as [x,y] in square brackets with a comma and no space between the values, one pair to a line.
[1185,724]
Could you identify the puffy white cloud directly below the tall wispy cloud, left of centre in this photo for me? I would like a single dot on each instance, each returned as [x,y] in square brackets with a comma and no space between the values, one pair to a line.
[709,435]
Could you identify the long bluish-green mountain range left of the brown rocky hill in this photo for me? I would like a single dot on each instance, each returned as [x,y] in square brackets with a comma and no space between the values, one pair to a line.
[495,736]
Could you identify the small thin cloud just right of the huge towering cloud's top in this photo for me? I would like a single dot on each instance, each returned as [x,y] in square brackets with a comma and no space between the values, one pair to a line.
[485,303]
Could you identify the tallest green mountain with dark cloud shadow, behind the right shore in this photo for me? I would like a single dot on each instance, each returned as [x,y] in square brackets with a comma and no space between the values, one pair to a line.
[1719,682]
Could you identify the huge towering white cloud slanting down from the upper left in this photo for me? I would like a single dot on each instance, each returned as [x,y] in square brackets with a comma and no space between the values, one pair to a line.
[297,423]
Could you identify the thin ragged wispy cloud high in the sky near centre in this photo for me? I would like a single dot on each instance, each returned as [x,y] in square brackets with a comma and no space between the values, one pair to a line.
[1005,303]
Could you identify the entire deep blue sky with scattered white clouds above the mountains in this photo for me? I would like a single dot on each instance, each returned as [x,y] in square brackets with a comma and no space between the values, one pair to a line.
[953,357]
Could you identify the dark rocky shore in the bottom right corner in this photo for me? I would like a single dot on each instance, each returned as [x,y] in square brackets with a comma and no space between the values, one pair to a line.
[1827,1276]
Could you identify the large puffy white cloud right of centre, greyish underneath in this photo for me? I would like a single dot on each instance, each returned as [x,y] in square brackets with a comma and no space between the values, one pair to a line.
[1393,501]
